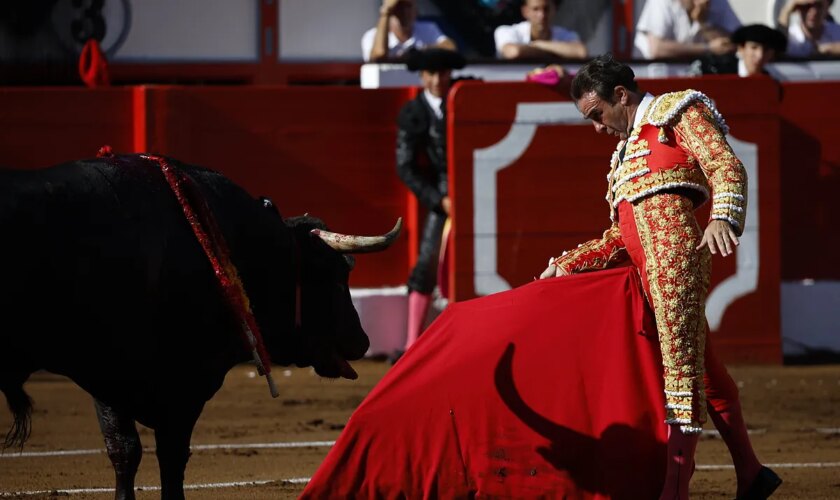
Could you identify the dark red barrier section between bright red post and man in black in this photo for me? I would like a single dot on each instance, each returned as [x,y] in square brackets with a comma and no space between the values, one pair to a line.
[326,151]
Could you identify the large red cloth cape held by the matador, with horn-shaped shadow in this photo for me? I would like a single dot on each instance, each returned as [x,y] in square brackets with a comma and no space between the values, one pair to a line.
[547,390]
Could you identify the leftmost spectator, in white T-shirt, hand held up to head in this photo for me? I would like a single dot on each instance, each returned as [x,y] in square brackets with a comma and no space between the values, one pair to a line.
[398,30]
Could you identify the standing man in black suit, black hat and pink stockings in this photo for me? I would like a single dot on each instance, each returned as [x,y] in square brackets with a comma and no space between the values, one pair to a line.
[422,133]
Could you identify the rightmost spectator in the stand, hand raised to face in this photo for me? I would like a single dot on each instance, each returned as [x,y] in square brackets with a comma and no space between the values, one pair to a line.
[811,32]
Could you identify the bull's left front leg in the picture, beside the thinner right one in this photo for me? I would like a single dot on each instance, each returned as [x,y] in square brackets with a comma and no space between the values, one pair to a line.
[123,445]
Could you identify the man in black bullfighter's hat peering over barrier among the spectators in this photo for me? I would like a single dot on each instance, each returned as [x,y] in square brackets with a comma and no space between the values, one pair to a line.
[756,45]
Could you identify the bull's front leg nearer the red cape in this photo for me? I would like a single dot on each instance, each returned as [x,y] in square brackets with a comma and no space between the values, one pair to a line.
[173,452]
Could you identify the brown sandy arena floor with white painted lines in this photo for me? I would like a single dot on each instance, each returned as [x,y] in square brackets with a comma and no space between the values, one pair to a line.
[794,412]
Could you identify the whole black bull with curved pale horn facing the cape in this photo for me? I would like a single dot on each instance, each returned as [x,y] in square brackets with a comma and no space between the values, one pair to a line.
[104,281]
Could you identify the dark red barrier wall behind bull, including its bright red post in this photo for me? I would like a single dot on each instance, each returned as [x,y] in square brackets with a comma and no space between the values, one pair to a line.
[326,151]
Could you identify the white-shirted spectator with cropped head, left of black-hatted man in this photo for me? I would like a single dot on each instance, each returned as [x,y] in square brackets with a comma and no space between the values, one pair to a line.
[684,28]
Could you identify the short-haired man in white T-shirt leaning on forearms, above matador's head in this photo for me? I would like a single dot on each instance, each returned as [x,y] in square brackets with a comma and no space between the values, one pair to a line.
[536,36]
